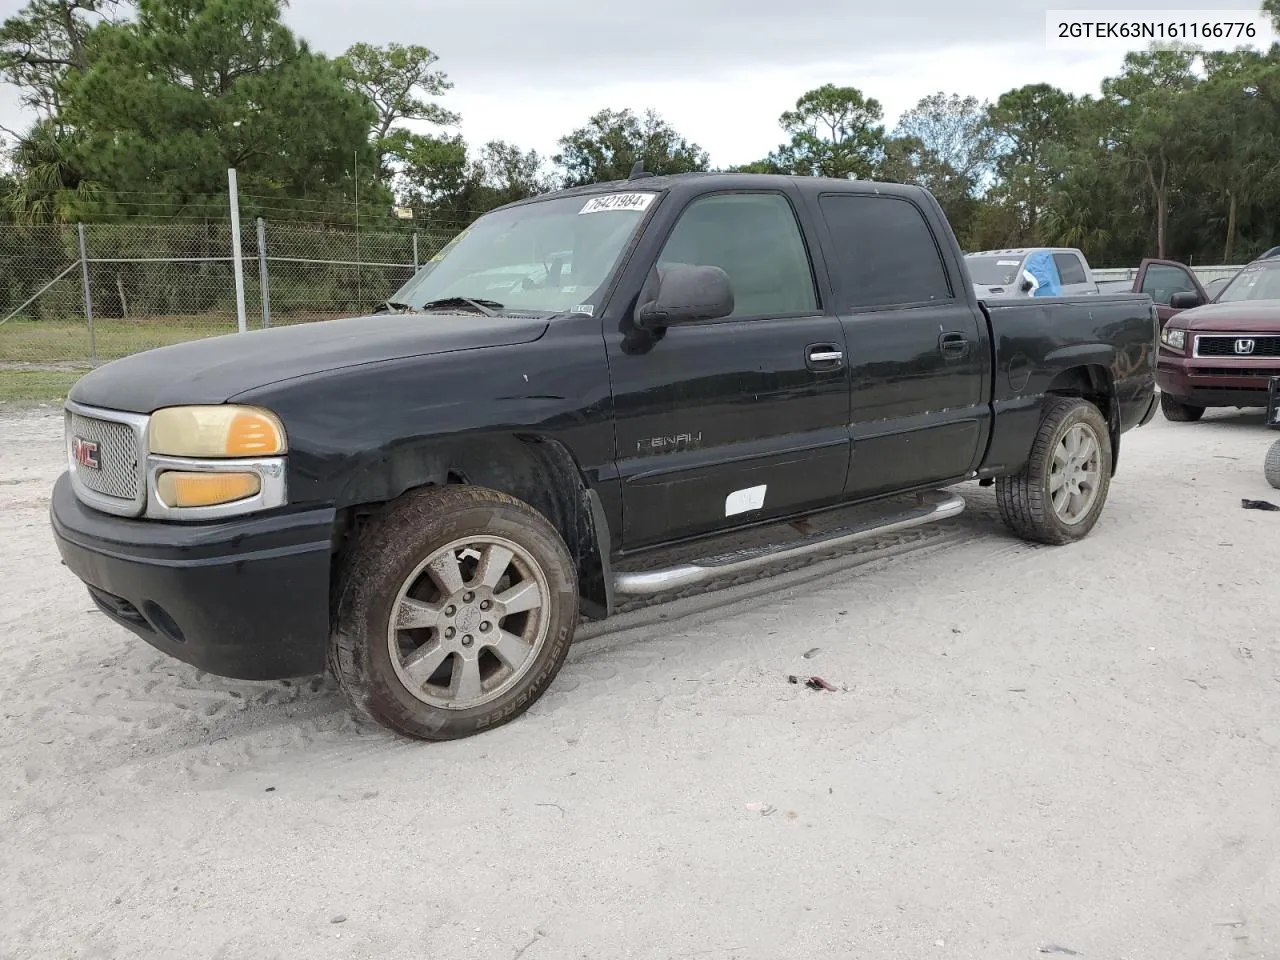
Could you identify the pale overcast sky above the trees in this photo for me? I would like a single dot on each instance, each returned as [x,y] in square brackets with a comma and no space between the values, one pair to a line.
[720,71]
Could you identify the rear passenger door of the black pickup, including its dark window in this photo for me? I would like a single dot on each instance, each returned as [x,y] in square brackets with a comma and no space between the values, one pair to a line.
[918,349]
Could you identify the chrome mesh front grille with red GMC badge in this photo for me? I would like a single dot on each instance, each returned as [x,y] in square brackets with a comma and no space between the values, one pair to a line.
[116,442]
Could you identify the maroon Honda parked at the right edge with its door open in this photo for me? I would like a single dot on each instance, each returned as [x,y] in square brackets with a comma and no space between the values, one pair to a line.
[1220,354]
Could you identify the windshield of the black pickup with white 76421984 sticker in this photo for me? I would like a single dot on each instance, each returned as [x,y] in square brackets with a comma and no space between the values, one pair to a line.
[548,257]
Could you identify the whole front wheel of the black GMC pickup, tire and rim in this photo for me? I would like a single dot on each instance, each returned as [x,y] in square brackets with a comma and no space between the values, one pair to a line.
[455,615]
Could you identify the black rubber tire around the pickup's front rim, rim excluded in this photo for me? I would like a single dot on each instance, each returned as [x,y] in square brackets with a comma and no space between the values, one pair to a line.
[392,547]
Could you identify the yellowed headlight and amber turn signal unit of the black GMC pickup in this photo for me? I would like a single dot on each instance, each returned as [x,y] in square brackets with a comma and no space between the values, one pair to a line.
[214,463]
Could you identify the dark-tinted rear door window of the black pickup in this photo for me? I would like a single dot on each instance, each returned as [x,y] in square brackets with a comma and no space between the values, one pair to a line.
[884,252]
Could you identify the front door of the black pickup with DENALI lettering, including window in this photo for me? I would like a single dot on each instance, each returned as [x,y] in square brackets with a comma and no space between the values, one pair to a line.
[743,419]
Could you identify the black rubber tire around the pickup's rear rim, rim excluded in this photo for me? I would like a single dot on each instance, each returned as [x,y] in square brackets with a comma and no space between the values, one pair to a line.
[1025,500]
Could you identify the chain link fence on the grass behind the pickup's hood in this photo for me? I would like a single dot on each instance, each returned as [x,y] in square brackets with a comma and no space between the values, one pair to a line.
[76,296]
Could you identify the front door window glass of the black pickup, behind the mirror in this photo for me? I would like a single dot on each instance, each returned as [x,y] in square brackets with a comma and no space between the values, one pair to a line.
[756,240]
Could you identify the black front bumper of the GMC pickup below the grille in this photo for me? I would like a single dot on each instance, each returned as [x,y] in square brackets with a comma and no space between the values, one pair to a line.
[246,598]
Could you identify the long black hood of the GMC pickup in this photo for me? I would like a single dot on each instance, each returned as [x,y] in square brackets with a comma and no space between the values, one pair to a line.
[220,368]
